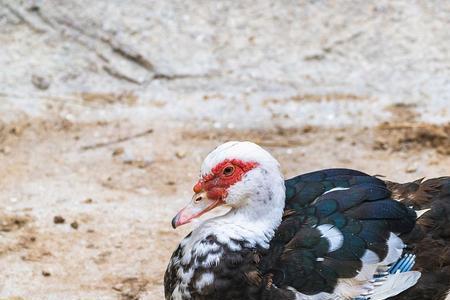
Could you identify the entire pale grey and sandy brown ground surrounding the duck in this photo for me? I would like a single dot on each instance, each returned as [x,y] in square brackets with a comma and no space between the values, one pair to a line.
[108,108]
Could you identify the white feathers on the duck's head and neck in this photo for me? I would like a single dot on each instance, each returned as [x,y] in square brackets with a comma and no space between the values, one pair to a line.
[257,200]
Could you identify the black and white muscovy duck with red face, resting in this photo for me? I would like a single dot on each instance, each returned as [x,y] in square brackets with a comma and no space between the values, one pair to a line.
[330,234]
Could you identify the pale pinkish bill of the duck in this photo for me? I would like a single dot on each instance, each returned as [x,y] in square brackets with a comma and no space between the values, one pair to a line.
[198,206]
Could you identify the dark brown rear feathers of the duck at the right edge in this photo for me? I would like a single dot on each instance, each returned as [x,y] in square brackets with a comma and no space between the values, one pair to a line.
[430,238]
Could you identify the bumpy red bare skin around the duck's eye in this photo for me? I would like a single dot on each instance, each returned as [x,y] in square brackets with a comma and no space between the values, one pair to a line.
[222,176]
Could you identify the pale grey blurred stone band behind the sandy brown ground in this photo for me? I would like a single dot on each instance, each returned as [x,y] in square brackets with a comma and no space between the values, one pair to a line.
[244,63]
